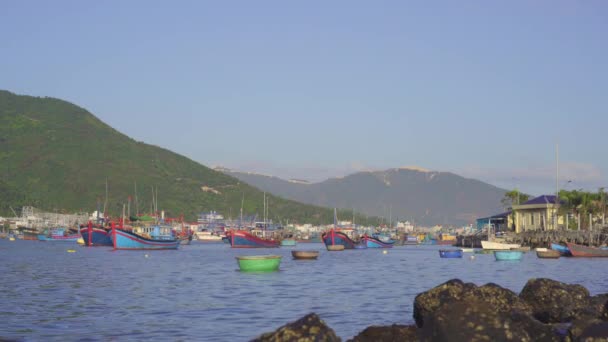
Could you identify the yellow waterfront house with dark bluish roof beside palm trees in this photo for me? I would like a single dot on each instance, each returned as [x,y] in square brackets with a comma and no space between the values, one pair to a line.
[539,213]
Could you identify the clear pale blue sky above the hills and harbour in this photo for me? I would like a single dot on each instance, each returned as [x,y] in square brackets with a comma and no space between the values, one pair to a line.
[317,89]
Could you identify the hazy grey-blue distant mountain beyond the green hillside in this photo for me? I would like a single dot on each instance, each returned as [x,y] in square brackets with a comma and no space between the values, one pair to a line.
[414,194]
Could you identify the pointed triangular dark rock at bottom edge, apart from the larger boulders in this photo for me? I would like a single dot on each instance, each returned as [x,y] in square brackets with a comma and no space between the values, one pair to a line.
[307,329]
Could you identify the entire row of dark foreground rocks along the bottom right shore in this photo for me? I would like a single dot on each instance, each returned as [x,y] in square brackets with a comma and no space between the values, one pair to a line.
[545,310]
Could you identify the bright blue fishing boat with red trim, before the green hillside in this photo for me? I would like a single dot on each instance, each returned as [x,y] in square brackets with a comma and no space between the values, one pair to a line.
[124,239]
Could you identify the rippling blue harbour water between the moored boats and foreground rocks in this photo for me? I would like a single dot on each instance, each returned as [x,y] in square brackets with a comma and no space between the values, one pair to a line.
[198,293]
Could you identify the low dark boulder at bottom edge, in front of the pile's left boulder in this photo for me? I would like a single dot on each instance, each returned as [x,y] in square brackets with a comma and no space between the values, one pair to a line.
[475,320]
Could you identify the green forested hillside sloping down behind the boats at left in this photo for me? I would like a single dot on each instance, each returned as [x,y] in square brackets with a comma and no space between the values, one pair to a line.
[57,156]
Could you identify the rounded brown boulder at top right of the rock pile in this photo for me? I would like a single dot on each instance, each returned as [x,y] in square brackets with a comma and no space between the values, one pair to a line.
[553,301]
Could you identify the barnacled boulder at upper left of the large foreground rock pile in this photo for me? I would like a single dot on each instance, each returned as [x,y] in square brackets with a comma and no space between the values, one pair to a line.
[496,297]
